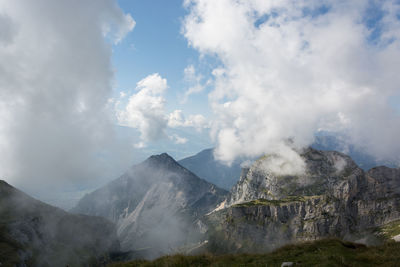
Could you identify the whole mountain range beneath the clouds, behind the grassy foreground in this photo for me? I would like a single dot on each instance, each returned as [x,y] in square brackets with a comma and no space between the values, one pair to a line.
[160,207]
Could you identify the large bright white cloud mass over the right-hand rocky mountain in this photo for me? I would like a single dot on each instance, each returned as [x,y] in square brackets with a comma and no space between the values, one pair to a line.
[290,68]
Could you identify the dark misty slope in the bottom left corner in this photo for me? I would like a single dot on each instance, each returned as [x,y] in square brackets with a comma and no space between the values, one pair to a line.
[33,233]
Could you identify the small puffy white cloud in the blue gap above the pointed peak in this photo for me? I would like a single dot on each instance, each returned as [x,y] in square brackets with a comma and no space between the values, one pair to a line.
[146,108]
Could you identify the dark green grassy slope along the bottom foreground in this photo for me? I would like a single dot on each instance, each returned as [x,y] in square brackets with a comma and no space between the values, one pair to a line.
[329,252]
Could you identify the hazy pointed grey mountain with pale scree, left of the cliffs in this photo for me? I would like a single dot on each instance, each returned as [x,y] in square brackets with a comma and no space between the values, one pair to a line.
[155,205]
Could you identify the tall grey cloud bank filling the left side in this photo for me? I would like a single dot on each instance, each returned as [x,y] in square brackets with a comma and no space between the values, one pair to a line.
[55,82]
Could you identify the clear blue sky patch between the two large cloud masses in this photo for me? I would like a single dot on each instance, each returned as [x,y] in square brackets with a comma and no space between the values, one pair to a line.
[156,46]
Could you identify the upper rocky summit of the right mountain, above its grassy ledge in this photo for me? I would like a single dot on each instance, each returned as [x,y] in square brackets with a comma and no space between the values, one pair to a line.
[314,173]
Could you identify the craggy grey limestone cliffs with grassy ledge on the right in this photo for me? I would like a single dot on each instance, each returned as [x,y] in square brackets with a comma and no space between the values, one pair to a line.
[332,197]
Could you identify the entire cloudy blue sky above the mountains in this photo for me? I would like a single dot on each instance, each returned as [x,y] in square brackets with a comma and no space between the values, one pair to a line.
[87,88]
